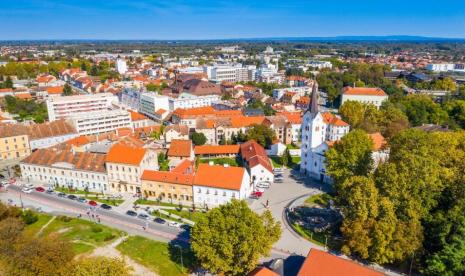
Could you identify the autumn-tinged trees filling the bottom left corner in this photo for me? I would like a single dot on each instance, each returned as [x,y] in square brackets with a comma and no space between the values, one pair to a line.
[24,254]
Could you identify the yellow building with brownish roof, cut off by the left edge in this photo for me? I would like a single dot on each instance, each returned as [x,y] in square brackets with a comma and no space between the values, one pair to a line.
[14,143]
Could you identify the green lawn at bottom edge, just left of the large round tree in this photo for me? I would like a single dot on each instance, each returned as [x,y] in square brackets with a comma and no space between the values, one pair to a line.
[153,254]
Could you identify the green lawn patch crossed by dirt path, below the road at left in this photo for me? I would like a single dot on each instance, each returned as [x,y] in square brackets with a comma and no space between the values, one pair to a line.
[80,232]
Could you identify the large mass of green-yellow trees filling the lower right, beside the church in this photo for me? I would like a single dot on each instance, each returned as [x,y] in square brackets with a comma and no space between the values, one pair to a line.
[408,209]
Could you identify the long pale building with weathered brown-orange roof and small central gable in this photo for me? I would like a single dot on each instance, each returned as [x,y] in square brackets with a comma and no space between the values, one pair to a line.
[63,168]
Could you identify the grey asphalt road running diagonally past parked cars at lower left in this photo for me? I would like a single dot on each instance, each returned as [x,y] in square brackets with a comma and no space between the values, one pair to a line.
[57,205]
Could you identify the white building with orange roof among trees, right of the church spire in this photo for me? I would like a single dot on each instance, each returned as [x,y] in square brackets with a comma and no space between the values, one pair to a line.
[365,95]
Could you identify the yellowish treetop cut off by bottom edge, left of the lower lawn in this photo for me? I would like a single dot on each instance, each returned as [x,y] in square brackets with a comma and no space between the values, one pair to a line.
[100,266]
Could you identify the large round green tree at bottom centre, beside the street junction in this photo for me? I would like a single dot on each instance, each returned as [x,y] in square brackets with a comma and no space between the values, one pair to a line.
[231,238]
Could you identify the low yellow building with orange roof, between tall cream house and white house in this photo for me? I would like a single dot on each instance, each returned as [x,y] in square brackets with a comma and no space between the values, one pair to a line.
[174,186]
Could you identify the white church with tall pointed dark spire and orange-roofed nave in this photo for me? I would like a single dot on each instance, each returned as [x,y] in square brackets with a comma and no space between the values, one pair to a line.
[319,131]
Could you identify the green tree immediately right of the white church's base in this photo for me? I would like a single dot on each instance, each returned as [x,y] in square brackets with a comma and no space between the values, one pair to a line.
[350,156]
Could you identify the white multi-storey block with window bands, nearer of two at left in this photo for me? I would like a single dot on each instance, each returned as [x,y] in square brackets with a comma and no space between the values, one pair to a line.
[88,123]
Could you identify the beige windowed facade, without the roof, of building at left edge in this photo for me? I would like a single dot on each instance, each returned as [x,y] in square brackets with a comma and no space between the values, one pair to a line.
[14,147]
